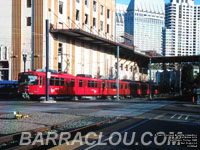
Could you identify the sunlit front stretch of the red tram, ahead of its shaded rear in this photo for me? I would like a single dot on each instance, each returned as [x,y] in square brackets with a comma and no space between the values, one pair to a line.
[32,84]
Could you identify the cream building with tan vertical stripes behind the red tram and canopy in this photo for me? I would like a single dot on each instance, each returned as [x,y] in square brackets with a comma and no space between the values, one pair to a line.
[68,51]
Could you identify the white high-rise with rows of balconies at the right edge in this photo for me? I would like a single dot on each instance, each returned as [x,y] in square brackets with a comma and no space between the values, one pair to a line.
[182,28]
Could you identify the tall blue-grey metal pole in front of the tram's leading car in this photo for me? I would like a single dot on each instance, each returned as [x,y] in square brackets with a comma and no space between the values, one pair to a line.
[47,60]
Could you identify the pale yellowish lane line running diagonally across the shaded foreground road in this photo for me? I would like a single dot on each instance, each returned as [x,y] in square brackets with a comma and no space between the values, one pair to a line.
[136,125]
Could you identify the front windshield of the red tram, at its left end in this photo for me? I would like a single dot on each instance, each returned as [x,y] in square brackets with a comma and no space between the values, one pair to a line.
[28,80]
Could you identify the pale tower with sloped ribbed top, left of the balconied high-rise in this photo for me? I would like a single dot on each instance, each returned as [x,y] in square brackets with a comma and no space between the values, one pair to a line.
[144,20]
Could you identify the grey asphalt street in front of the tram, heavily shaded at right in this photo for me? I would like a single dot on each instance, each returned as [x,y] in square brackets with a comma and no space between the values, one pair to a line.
[154,122]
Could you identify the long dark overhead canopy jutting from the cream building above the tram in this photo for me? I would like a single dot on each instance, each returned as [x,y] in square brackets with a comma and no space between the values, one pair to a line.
[126,51]
